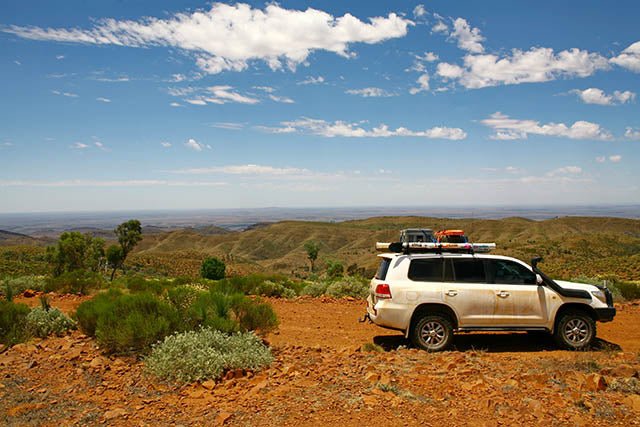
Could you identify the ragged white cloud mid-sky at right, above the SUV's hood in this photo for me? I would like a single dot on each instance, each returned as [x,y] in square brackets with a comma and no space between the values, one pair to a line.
[507,128]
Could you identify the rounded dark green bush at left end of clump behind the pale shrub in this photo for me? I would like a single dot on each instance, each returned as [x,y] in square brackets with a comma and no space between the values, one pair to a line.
[134,322]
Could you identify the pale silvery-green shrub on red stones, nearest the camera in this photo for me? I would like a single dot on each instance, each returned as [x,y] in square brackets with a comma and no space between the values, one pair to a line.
[205,354]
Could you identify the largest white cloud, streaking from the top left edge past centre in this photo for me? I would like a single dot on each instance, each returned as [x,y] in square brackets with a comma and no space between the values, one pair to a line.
[228,37]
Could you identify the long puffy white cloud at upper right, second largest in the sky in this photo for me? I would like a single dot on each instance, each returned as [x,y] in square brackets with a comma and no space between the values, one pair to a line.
[538,64]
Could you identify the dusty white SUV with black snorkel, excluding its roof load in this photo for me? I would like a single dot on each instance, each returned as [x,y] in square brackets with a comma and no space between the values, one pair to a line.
[429,296]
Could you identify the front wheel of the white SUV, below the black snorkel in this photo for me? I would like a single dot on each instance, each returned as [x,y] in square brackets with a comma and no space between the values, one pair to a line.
[575,330]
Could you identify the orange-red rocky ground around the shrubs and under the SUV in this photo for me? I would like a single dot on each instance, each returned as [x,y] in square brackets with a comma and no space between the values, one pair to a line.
[324,375]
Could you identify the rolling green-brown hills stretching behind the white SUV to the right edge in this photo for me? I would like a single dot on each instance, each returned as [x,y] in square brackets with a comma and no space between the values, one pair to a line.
[571,245]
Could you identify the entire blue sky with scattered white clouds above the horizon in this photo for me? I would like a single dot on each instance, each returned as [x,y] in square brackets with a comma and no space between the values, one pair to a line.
[117,105]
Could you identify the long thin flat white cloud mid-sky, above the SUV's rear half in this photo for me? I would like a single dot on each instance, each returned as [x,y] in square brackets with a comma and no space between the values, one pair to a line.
[353,130]
